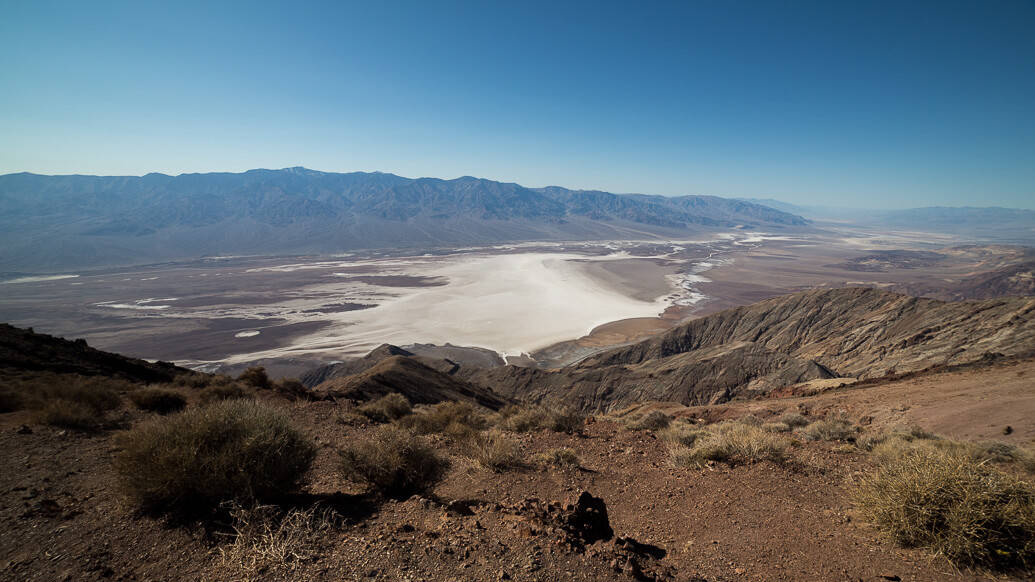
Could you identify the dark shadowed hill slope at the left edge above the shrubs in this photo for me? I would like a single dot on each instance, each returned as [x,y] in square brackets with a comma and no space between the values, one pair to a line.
[25,351]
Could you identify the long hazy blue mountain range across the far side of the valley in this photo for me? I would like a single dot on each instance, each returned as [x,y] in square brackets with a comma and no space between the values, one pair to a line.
[52,223]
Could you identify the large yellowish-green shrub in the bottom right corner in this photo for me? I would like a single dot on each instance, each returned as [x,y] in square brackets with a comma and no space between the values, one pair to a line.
[944,501]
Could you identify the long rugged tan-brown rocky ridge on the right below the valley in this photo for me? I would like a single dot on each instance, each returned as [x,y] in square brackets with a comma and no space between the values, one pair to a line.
[751,351]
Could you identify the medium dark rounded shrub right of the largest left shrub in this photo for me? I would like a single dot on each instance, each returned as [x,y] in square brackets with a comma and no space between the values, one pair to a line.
[394,461]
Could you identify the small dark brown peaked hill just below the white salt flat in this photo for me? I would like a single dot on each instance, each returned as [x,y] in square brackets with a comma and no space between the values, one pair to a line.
[417,382]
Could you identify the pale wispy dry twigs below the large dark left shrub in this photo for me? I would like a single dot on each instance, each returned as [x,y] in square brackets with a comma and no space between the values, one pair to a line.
[269,543]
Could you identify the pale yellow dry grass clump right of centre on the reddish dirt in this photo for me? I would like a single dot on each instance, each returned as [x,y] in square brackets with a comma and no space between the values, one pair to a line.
[733,444]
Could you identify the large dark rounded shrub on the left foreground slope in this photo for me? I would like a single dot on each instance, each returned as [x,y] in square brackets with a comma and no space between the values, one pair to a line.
[232,451]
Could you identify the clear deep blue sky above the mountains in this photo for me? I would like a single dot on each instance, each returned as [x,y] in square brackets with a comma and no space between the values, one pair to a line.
[868,104]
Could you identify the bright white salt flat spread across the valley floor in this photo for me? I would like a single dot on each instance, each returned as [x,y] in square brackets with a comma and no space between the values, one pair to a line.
[511,304]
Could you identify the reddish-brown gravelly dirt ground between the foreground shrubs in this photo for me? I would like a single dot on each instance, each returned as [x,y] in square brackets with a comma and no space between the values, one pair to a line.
[65,519]
